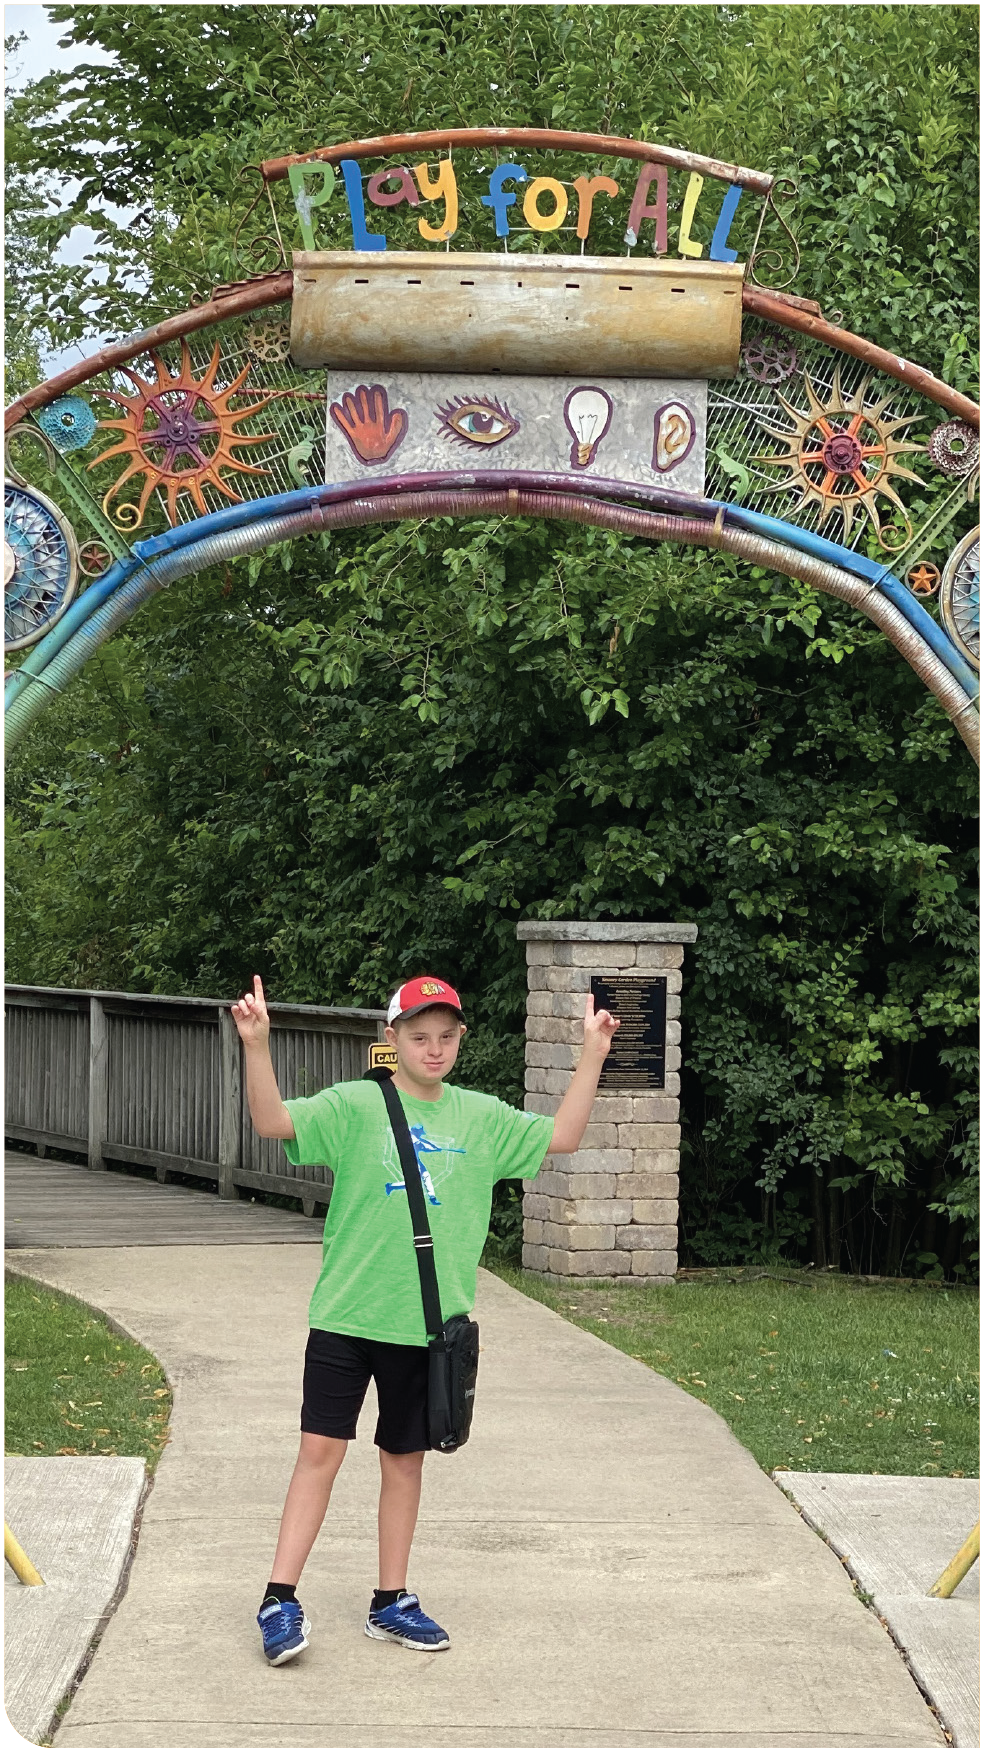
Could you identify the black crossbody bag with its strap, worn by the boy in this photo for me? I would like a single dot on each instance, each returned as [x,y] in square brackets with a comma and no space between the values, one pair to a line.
[453,1345]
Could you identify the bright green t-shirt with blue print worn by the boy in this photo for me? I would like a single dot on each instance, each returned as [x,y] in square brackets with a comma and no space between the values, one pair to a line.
[466,1142]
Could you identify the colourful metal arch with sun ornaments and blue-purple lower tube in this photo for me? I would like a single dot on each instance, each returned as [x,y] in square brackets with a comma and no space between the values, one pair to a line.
[241,418]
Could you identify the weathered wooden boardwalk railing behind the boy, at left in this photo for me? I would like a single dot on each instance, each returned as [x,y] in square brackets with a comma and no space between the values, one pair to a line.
[159,1082]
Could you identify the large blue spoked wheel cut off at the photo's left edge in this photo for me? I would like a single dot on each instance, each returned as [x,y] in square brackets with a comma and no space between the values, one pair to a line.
[41,565]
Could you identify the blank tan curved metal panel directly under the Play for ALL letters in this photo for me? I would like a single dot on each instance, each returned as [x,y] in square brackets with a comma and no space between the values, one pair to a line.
[518,313]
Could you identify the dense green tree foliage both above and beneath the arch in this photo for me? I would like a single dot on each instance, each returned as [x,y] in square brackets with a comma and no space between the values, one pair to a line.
[374,753]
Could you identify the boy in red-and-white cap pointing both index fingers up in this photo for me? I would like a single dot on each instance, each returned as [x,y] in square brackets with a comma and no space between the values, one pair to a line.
[366,1310]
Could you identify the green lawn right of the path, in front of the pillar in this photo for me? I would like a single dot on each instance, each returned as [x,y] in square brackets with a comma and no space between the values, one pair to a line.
[813,1372]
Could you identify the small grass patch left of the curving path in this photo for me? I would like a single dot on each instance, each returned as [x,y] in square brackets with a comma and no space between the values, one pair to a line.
[76,1387]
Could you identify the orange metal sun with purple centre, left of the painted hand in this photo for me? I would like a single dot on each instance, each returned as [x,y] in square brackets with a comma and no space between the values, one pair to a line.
[180,434]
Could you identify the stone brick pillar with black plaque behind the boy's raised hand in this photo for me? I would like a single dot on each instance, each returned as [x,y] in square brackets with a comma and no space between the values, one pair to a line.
[610,1210]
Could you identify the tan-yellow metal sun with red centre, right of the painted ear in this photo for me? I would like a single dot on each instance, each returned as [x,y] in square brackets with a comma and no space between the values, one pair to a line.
[845,457]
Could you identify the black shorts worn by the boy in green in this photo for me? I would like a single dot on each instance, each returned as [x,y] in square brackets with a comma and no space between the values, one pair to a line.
[338,1372]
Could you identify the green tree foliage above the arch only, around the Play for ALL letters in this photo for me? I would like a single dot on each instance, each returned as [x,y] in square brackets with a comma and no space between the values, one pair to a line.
[869,108]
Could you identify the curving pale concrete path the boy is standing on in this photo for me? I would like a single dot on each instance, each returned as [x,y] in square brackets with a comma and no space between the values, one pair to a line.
[613,1566]
